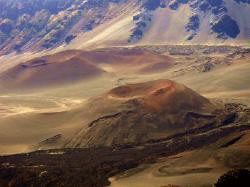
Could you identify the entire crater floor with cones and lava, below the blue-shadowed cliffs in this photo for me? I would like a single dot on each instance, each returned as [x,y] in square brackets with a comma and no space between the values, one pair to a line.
[182,135]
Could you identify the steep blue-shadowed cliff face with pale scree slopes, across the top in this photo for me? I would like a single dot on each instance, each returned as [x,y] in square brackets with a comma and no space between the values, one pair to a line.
[36,25]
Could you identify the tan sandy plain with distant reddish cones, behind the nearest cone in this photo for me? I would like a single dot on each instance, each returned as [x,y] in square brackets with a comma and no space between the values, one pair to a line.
[36,107]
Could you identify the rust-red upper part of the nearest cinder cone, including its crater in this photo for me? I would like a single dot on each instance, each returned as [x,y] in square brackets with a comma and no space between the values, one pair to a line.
[163,95]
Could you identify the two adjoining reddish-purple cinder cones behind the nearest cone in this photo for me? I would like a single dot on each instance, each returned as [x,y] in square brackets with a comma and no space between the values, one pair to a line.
[76,65]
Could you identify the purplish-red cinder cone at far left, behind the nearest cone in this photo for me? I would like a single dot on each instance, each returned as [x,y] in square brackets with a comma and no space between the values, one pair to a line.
[41,72]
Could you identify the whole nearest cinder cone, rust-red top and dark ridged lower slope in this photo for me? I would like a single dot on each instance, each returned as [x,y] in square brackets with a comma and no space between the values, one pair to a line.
[145,111]
